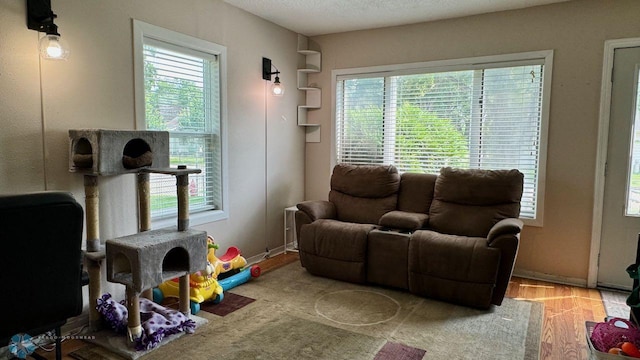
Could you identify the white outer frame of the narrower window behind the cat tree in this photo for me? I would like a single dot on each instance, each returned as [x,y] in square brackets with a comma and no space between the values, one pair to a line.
[142,30]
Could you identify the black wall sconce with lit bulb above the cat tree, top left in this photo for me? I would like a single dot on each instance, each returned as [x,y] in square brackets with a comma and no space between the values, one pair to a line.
[40,18]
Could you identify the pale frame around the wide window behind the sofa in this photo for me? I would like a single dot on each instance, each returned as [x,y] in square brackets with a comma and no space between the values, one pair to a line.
[472,63]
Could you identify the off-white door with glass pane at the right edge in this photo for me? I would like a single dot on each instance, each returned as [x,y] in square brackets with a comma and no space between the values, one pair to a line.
[621,210]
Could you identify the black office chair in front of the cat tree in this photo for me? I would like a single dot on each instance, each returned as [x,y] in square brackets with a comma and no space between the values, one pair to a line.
[40,263]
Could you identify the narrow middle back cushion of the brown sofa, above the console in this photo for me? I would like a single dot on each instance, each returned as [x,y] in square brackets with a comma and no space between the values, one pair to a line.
[416,192]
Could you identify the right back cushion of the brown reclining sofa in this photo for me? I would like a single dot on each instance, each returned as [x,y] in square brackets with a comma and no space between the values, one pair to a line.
[469,202]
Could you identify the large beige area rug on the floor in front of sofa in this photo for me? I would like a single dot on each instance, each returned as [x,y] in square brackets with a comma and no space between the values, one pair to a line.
[300,316]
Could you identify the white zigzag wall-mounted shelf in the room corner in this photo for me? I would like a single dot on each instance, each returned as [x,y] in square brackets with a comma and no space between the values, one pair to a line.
[313,94]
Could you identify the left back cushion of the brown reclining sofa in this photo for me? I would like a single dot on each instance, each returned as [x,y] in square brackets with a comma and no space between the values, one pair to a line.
[363,193]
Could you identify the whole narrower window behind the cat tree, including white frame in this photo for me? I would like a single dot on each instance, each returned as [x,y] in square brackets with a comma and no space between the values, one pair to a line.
[179,88]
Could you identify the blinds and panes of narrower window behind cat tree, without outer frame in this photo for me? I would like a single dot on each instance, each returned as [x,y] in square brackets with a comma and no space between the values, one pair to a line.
[182,96]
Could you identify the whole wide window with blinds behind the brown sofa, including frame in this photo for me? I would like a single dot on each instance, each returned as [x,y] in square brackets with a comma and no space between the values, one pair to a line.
[484,113]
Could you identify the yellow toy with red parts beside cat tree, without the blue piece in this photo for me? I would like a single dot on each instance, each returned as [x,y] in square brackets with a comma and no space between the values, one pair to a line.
[203,285]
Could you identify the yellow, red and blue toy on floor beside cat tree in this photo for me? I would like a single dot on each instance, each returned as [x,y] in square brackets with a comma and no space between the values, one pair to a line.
[205,285]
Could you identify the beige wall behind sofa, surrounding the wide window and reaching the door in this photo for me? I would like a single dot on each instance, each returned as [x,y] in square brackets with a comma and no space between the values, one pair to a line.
[576,31]
